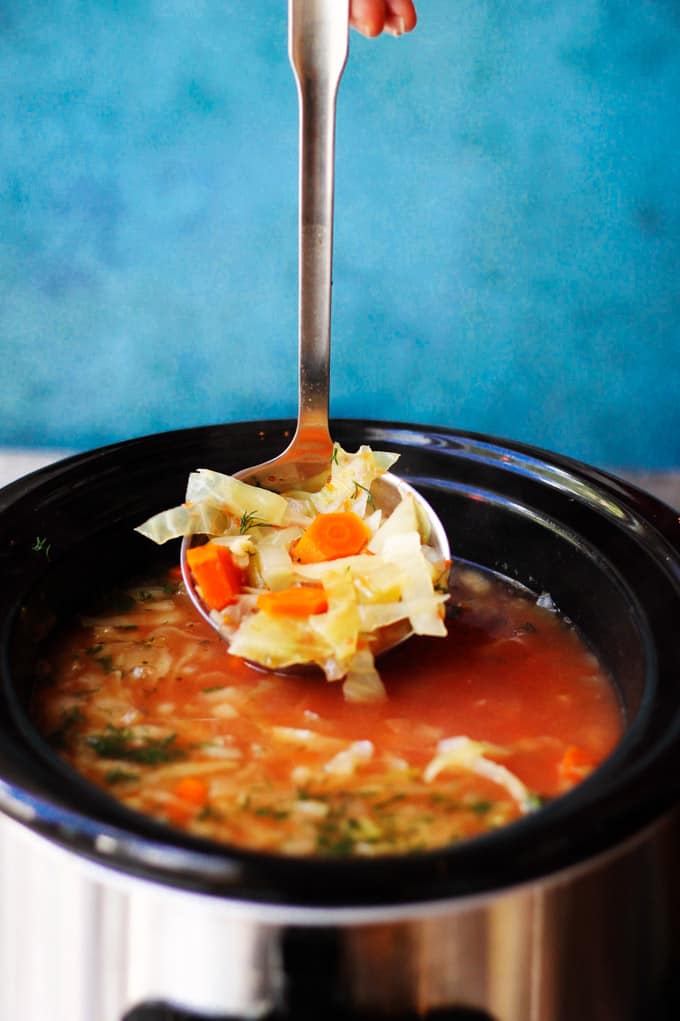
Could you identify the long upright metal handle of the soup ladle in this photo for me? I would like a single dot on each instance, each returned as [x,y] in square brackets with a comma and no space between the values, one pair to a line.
[319,39]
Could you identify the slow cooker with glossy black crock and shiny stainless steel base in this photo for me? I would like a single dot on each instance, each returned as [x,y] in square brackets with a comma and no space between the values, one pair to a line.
[569,915]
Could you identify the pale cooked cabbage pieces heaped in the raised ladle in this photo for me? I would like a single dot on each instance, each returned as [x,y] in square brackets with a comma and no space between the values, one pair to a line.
[395,580]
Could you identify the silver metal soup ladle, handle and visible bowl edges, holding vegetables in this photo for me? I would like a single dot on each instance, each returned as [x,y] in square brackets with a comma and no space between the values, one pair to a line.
[318,46]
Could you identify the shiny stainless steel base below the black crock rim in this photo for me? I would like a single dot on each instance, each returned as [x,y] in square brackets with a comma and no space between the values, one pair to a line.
[80,943]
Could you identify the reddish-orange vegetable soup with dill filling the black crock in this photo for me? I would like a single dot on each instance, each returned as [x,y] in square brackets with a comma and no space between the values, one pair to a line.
[477,730]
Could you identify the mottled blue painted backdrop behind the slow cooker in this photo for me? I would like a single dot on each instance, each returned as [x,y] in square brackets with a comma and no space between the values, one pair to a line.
[508,222]
